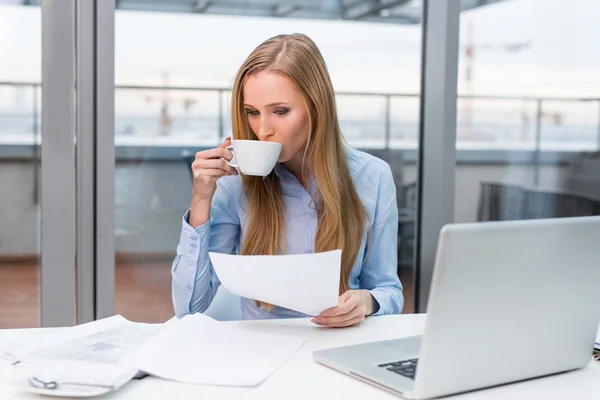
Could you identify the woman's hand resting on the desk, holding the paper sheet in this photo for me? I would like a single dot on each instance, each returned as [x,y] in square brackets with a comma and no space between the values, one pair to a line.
[353,306]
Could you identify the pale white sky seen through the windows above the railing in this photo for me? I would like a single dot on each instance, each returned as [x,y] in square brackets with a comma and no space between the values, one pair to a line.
[562,56]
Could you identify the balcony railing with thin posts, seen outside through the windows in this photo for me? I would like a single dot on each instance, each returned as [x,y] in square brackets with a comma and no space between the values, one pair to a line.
[158,122]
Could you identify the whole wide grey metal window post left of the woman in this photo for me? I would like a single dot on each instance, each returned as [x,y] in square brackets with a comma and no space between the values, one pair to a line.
[77,178]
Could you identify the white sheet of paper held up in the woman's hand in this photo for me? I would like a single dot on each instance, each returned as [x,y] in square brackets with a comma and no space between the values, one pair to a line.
[308,283]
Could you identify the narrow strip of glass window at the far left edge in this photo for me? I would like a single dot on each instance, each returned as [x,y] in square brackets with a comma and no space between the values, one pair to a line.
[20,139]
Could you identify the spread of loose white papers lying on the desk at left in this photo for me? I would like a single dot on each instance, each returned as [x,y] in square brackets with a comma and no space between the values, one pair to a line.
[94,358]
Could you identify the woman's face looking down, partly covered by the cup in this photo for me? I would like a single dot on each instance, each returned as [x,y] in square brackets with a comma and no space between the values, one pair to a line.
[276,112]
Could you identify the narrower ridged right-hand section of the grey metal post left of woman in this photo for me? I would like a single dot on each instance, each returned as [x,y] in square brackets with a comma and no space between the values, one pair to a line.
[95,160]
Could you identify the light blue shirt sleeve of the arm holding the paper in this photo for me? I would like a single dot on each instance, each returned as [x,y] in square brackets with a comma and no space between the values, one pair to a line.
[379,270]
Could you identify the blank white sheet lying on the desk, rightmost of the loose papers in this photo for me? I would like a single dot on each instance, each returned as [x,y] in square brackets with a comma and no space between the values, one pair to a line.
[201,350]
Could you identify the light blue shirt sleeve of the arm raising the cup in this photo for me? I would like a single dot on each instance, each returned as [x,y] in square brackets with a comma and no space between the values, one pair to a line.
[193,280]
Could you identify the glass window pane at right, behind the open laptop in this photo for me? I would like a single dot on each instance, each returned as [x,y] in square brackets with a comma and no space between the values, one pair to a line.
[528,112]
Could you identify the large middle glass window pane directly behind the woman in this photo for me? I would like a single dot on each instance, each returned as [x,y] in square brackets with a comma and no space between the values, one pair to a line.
[172,99]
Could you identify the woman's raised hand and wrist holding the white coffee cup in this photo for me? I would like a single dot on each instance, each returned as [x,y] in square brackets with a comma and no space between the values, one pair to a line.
[207,168]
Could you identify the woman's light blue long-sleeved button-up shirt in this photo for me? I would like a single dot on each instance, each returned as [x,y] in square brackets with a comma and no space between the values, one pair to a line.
[194,282]
